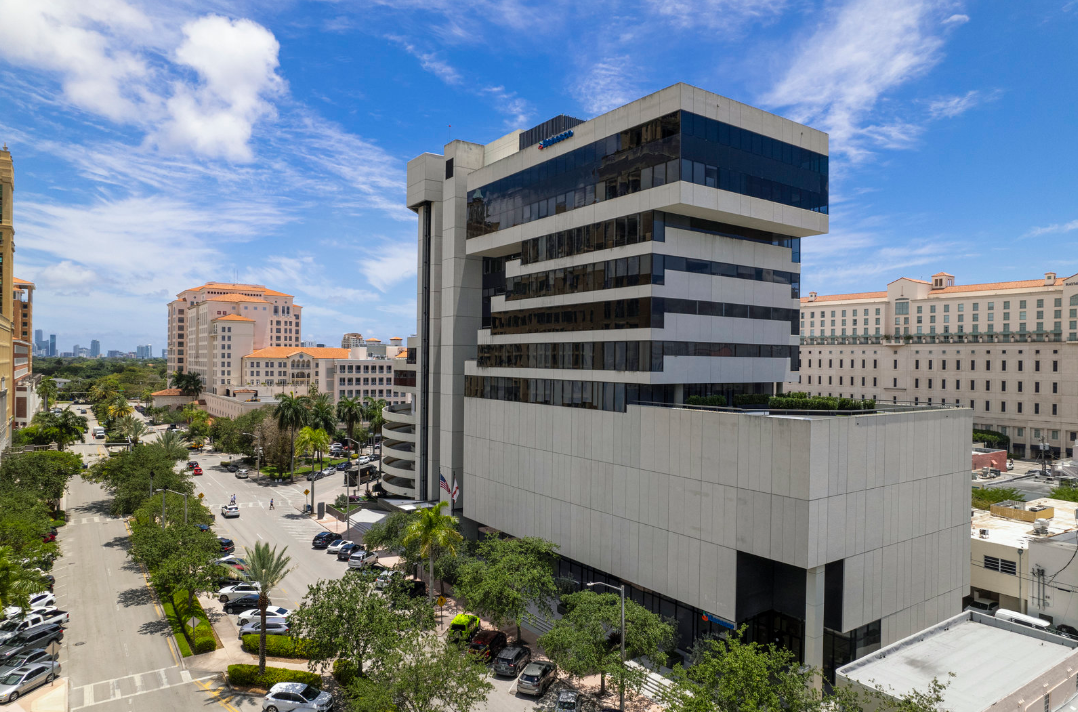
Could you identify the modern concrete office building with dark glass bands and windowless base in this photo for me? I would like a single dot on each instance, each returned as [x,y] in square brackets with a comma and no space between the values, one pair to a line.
[578,283]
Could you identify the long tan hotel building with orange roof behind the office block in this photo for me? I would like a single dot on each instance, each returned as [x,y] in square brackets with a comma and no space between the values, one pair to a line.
[1002,349]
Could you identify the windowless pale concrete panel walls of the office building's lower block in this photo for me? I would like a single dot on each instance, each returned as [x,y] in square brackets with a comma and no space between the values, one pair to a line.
[666,498]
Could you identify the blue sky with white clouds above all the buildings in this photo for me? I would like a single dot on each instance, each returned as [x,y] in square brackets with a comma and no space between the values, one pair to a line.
[162,145]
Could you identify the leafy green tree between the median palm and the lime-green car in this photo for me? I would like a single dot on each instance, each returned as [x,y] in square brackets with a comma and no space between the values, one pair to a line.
[350,620]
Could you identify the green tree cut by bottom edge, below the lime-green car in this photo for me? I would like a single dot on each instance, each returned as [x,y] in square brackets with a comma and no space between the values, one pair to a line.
[423,674]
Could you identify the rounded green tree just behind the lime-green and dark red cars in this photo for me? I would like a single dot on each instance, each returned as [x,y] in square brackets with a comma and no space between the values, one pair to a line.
[509,581]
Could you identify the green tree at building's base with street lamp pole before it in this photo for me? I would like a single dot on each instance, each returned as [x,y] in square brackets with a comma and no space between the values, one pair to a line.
[586,641]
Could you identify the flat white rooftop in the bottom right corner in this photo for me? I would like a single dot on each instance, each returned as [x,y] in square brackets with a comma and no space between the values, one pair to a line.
[990,660]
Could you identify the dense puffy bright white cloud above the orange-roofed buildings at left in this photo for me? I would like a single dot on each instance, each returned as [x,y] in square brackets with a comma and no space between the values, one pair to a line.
[237,64]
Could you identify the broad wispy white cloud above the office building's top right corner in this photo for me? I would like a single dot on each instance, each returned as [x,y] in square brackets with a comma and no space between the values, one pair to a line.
[861,51]
